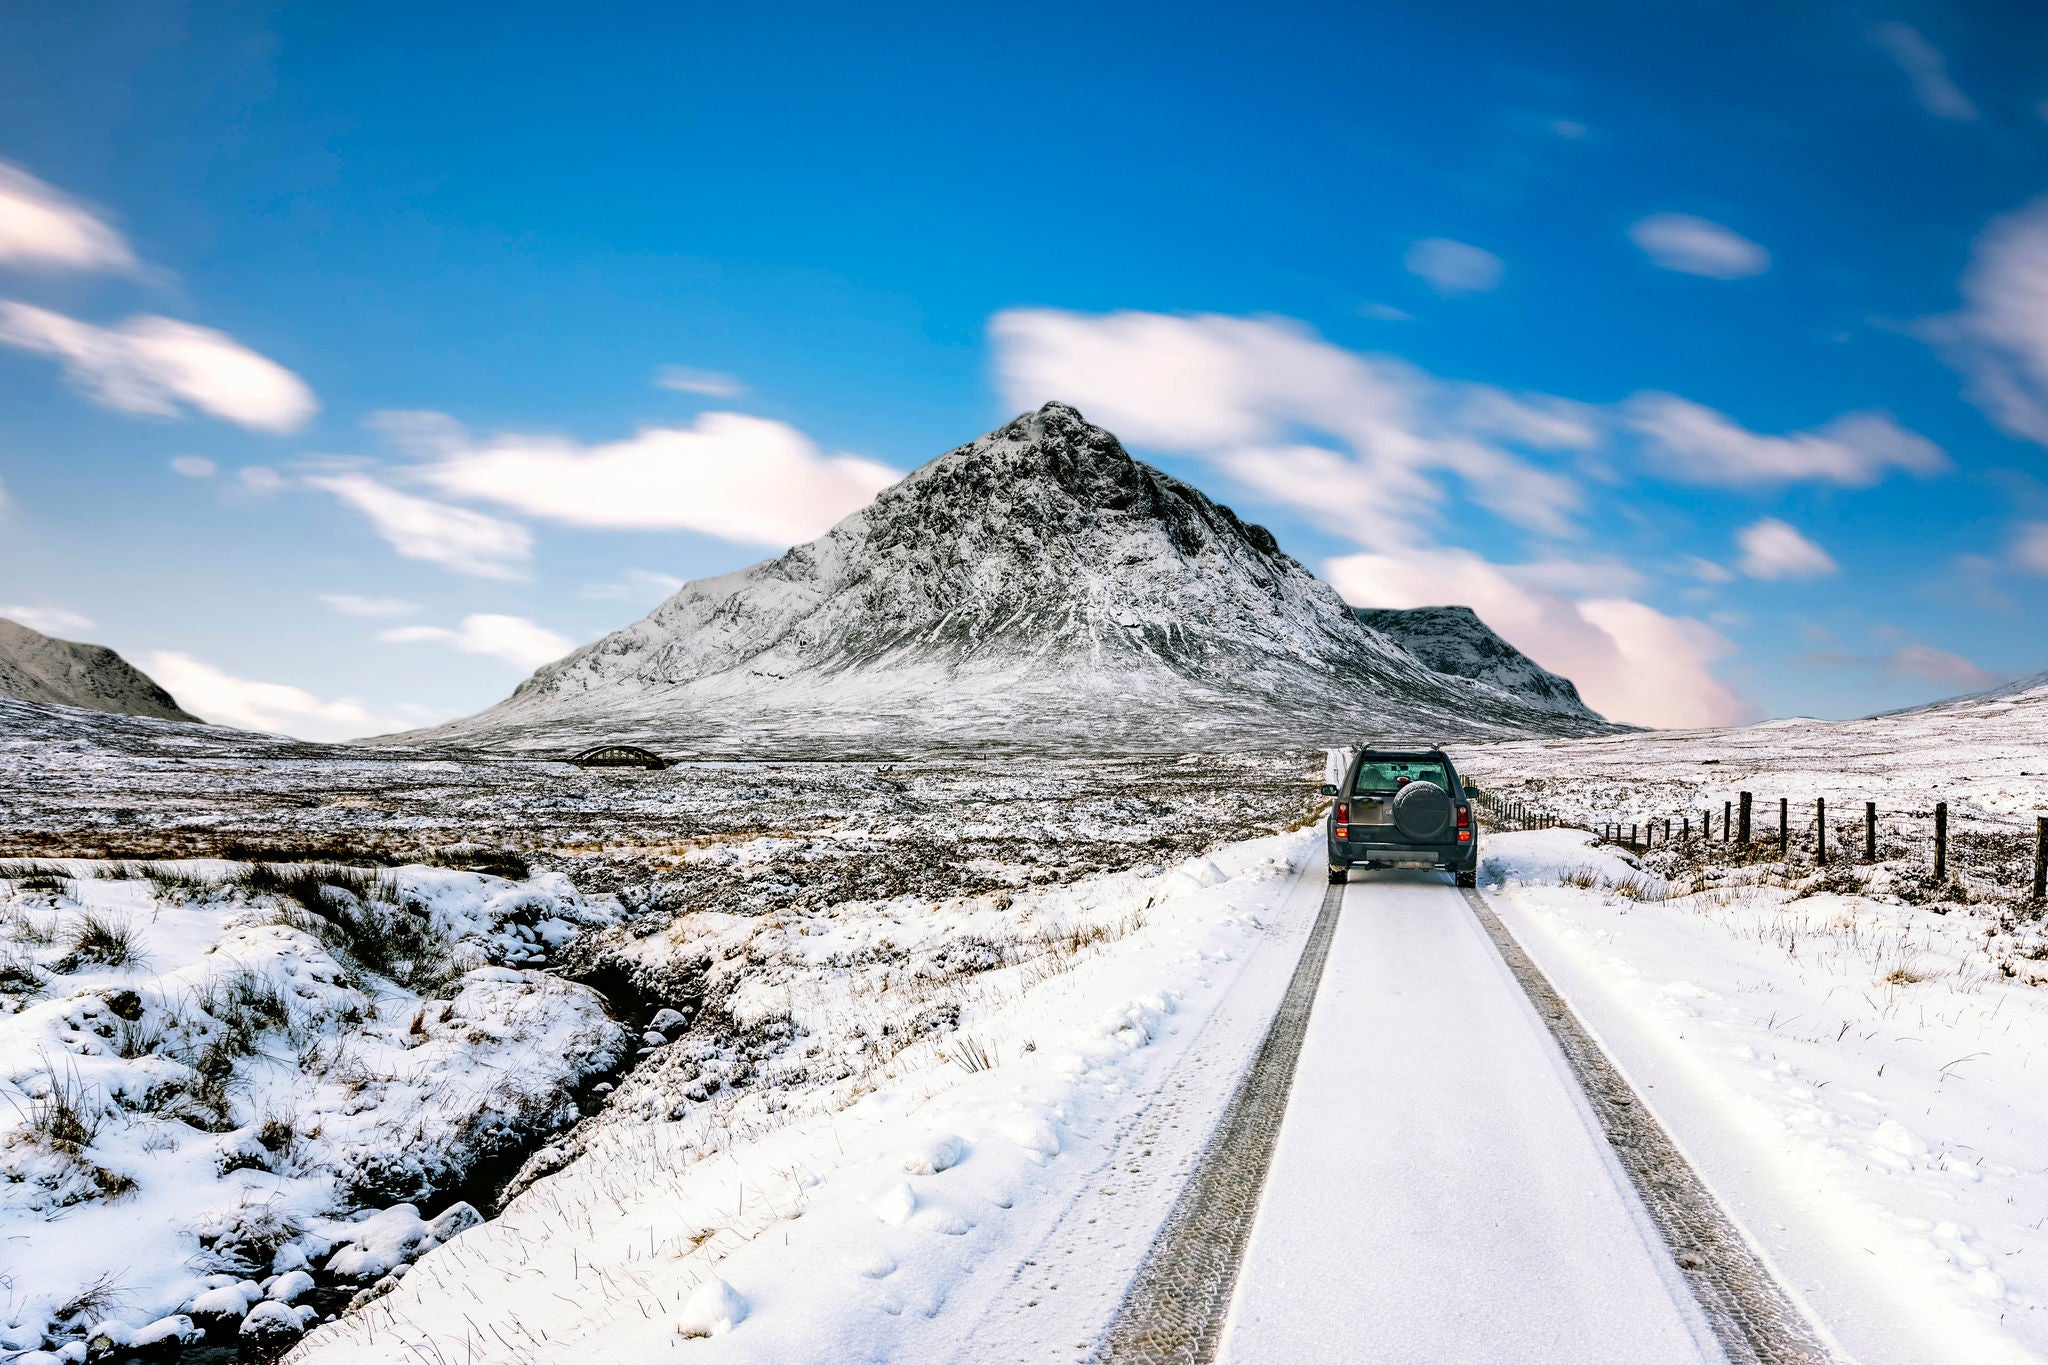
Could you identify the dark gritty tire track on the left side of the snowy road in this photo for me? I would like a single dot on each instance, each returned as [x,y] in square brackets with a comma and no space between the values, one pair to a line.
[1177,1305]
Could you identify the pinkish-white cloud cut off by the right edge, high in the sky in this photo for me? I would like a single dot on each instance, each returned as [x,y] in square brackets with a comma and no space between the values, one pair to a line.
[2000,339]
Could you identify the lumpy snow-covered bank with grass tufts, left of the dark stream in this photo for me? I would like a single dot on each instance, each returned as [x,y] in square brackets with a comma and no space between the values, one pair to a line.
[210,1067]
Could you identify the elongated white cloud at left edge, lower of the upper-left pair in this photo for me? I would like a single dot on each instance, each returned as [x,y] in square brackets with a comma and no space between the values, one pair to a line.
[151,365]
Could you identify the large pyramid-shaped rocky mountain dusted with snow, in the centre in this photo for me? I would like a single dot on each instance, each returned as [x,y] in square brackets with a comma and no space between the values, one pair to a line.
[1037,586]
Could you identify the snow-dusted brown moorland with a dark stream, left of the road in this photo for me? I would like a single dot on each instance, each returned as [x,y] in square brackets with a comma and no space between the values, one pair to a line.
[689,879]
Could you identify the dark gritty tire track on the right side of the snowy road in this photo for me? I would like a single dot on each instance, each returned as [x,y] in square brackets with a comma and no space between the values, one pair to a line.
[1752,1317]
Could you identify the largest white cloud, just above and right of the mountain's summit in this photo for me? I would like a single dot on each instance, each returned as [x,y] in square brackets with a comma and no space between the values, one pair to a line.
[1238,392]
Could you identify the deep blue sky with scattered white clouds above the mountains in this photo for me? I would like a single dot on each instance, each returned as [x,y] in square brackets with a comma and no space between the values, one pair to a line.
[1701,347]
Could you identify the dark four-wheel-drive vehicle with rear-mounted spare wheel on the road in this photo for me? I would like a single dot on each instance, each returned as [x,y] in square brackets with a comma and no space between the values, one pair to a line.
[1402,809]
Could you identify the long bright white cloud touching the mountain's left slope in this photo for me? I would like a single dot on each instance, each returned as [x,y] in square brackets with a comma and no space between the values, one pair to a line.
[744,480]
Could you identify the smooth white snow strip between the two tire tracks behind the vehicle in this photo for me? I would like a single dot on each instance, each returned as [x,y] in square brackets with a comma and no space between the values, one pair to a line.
[1441,1188]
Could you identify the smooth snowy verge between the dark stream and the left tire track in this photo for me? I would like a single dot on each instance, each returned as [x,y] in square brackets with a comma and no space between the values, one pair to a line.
[904,1147]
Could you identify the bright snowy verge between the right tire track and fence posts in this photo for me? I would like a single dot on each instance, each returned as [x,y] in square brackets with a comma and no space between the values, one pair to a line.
[1857,1077]
